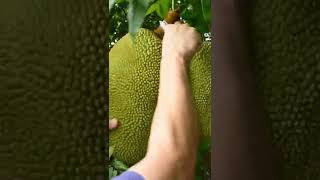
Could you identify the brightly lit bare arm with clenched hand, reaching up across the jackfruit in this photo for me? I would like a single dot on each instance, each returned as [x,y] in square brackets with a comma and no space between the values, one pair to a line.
[174,132]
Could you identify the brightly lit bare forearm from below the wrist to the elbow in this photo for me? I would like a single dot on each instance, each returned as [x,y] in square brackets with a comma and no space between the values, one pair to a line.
[174,131]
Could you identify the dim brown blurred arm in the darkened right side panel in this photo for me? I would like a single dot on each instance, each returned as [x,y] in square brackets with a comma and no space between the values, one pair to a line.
[241,149]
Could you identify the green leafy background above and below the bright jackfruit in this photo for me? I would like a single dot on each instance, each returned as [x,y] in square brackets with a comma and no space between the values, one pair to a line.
[128,16]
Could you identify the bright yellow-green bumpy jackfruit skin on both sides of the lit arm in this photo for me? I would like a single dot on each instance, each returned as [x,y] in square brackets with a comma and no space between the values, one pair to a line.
[133,91]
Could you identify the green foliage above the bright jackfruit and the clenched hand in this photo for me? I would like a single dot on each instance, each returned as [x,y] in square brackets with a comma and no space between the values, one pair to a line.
[130,15]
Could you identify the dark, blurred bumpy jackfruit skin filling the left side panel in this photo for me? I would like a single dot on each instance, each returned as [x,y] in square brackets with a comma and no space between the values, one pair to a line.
[52,90]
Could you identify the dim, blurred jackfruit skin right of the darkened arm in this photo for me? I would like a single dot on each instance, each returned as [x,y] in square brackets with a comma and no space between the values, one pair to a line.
[286,60]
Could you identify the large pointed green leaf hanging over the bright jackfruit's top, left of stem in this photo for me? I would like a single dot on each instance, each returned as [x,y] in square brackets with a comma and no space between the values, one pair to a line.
[136,13]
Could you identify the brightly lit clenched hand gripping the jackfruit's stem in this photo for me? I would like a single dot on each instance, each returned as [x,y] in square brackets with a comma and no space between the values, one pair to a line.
[180,41]
